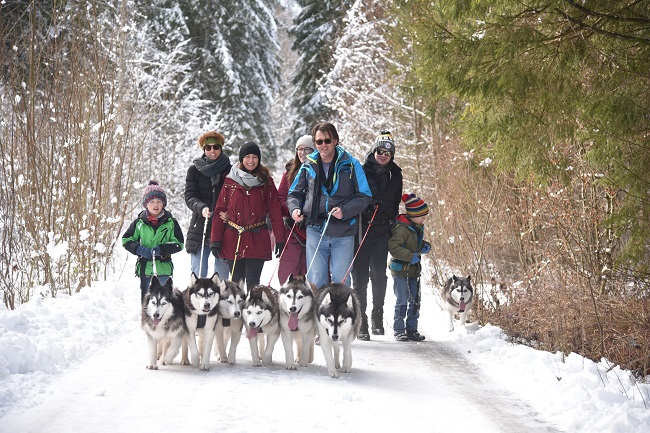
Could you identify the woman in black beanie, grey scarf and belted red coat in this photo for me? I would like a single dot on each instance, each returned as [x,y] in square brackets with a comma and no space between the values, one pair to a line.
[247,197]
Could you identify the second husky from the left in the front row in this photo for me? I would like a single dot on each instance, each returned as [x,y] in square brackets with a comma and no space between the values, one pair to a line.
[201,302]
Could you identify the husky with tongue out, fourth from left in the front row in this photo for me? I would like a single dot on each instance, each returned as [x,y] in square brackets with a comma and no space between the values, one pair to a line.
[261,314]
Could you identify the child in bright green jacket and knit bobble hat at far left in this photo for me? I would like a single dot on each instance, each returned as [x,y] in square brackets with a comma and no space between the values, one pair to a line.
[154,236]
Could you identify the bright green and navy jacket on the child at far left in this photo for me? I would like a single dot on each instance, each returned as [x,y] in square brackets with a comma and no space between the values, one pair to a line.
[167,235]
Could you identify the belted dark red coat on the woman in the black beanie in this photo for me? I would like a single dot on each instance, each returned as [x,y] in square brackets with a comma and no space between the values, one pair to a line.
[246,207]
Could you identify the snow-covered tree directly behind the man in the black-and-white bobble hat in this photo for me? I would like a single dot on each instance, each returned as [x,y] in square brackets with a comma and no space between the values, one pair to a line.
[363,86]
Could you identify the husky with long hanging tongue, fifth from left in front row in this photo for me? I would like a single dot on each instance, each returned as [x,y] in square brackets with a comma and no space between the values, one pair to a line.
[298,320]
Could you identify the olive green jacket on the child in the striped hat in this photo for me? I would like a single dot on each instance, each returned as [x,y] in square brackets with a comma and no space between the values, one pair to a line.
[407,238]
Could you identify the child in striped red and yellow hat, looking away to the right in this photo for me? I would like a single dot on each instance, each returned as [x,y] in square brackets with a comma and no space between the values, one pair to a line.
[405,245]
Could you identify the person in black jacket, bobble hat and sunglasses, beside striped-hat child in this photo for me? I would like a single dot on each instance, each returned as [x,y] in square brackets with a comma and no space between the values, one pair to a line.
[385,181]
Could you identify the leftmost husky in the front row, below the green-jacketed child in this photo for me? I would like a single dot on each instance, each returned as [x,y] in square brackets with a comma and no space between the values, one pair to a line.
[163,321]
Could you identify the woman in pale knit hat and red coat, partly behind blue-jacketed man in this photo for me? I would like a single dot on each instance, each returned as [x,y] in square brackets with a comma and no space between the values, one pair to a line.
[294,259]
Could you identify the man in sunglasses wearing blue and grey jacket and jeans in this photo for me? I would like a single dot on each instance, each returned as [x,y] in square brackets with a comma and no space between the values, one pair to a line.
[330,190]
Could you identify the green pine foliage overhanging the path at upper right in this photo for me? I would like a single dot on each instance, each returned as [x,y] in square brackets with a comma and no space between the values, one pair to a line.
[548,84]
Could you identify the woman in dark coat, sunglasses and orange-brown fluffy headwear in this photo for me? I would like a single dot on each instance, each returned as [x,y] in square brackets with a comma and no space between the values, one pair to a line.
[202,187]
